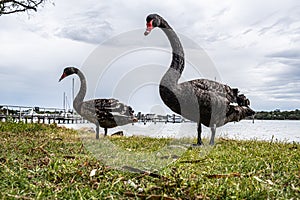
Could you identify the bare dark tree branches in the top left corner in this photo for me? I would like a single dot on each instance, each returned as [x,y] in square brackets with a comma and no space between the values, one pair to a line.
[14,6]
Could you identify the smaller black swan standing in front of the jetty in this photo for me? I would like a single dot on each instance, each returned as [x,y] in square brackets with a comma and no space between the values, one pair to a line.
[106,113]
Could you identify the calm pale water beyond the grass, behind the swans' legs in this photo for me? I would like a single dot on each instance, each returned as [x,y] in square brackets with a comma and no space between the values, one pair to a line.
[283,130]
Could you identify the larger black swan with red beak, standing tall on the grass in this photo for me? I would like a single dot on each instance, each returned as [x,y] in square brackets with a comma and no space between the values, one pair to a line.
[203,101]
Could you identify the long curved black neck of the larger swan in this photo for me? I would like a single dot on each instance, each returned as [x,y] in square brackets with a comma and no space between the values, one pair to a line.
[177,65]
